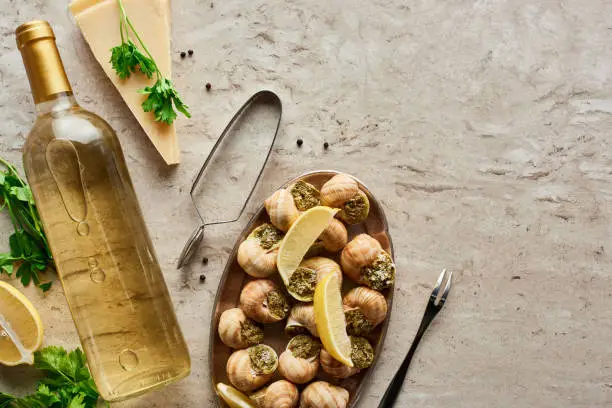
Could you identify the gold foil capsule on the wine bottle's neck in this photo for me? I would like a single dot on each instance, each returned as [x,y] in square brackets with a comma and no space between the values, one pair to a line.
[43,64]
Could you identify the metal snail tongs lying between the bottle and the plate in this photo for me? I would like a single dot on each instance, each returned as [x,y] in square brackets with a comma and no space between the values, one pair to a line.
[192,244]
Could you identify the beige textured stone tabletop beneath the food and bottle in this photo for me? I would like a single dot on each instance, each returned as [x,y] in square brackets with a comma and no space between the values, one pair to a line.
[484,128]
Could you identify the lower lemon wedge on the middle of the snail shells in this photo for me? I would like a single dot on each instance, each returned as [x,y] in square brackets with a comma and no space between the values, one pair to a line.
[329,318]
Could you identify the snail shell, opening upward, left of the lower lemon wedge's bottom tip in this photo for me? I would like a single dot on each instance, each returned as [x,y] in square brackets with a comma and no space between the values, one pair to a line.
[300,361]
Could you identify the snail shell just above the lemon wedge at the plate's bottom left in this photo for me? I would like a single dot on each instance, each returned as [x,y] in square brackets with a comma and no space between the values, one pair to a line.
[251,368]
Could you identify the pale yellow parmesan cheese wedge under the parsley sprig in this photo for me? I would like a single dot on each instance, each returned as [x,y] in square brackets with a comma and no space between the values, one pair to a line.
[99,23]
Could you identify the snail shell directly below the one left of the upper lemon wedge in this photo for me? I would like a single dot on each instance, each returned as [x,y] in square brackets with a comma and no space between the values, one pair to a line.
[263,301]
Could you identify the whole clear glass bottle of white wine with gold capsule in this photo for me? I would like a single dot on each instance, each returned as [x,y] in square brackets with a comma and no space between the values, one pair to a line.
[99,241]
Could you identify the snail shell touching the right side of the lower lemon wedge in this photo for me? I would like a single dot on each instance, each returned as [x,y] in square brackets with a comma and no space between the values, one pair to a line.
[364,309]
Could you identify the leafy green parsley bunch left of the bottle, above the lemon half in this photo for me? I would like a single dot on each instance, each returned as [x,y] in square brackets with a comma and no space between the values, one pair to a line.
[28,244]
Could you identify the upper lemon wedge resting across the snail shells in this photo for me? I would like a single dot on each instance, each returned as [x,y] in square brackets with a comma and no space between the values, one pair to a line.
[298,240]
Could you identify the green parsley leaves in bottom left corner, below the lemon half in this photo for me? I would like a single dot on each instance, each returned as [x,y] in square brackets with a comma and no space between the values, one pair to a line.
[68,383]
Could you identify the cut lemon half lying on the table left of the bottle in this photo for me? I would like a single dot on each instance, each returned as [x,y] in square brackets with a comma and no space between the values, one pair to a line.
[21,330]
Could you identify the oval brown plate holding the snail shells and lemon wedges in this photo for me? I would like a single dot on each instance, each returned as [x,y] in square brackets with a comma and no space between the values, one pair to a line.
[234,278]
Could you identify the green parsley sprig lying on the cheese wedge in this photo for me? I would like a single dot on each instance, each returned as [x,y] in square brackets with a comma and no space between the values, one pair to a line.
[162,97]
